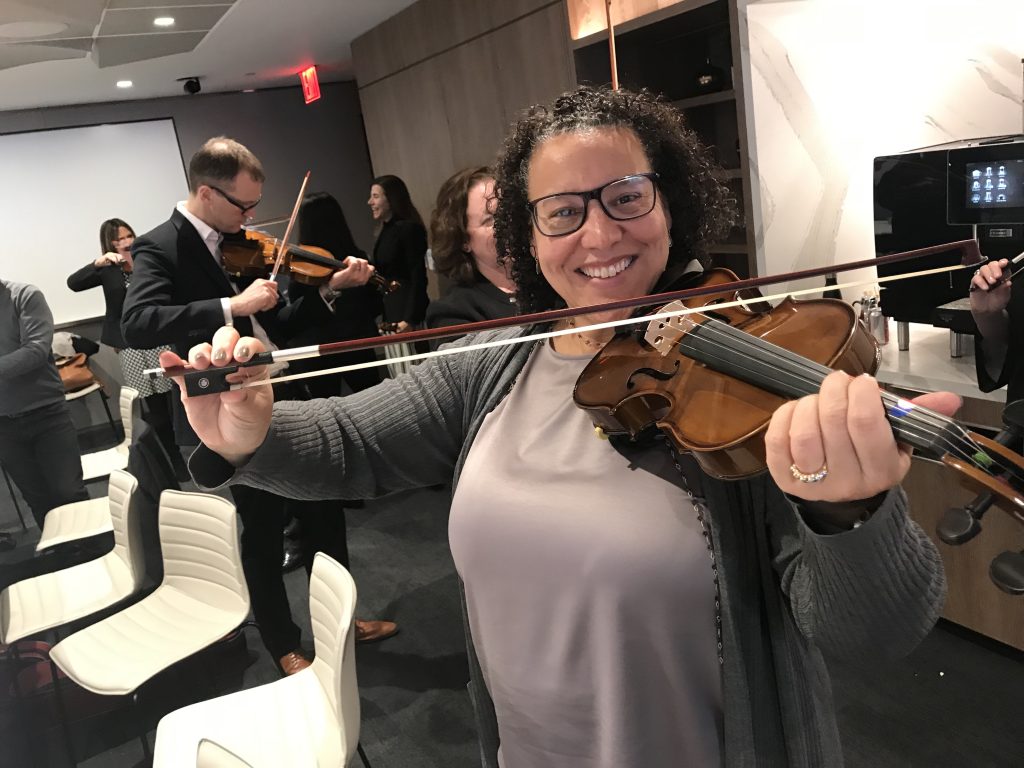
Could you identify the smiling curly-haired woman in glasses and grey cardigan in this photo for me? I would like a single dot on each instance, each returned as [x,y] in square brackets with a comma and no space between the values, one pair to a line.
[602,632]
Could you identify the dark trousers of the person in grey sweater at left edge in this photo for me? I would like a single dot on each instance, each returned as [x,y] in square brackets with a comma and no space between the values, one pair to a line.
[39,450]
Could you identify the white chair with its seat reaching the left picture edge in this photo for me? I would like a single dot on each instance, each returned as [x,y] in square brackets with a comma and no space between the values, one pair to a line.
[54,600]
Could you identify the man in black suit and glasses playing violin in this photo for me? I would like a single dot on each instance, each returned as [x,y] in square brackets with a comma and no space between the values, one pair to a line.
[181,295]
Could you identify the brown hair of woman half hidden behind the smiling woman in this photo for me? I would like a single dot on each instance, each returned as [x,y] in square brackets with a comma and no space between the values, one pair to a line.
[449,226]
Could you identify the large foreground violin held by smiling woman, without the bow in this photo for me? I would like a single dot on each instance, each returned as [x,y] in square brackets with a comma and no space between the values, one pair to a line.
[710,380]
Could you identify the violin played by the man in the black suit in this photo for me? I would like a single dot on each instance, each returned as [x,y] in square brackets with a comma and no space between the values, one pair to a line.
[255,254]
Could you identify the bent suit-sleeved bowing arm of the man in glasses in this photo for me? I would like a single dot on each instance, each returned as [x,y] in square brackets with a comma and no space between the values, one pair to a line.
[150,320]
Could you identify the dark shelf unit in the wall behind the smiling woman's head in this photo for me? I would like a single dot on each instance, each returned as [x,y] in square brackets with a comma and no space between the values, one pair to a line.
[665,52]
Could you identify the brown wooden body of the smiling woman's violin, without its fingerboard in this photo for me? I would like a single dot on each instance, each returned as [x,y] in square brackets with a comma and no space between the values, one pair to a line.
[636,383]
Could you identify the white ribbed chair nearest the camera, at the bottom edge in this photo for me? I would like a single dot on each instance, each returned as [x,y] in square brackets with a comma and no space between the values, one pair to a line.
[309,719]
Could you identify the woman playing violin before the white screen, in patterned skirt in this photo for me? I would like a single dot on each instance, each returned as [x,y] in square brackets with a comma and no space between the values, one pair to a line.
[112,271]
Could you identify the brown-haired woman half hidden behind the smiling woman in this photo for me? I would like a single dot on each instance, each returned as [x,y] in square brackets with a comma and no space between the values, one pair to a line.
[462,241]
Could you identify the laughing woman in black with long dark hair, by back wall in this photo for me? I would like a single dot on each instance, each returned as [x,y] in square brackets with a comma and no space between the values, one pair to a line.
[400,251]
